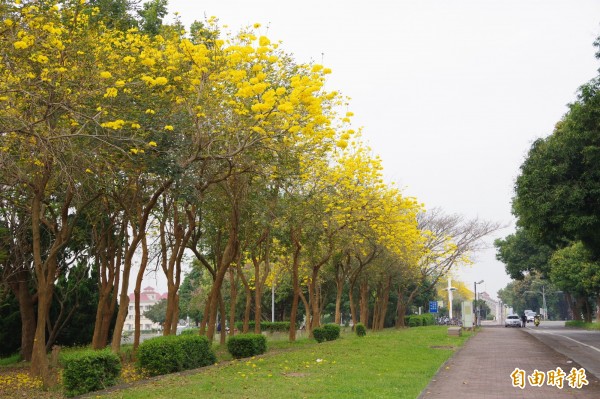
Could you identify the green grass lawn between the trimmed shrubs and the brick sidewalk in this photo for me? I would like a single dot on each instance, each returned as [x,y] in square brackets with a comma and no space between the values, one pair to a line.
[388,364]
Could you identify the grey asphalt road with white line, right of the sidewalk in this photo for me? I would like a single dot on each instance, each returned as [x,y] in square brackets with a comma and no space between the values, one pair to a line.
[582,346]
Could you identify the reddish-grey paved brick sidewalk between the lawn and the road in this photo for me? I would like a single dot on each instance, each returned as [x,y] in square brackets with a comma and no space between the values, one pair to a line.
[482,369]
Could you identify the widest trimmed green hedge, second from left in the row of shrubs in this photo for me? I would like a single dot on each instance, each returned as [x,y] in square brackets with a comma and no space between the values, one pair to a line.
[173,353]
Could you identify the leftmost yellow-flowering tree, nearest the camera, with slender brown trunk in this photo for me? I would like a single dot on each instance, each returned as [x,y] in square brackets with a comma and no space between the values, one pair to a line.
[51,130]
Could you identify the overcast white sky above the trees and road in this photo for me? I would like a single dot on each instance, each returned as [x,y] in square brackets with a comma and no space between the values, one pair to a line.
[450,93]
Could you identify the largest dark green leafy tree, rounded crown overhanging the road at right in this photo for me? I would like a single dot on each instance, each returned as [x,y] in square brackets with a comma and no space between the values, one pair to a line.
[558,190]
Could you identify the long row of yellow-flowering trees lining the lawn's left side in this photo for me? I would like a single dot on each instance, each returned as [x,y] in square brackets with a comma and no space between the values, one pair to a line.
[125,141]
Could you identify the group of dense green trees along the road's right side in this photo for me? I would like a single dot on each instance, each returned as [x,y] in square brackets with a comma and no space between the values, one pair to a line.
[557,204]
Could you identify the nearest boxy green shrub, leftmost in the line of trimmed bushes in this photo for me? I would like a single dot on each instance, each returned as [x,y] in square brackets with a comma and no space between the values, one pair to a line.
[89,370]
